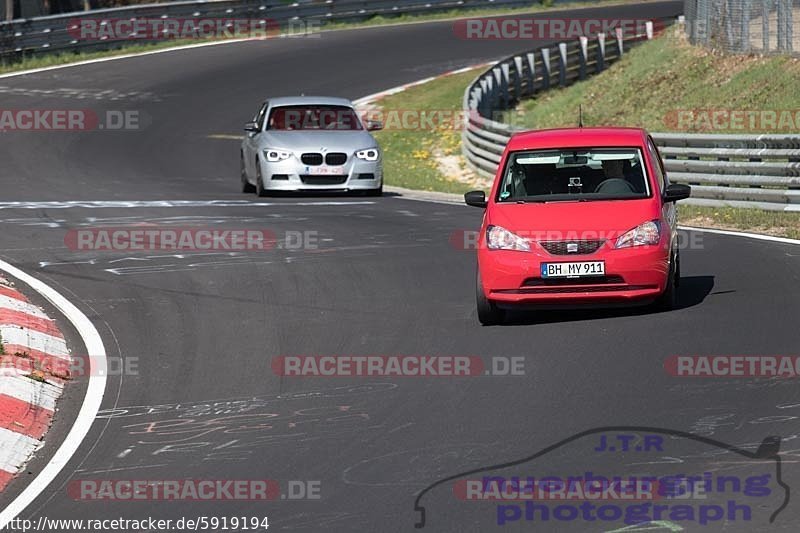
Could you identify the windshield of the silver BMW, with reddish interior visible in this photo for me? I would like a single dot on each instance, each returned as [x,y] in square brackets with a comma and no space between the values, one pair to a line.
[313,117]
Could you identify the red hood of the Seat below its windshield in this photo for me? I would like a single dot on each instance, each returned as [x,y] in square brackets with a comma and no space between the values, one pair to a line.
[573,220]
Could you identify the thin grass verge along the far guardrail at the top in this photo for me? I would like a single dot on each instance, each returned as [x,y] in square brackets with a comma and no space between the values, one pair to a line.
[41,61]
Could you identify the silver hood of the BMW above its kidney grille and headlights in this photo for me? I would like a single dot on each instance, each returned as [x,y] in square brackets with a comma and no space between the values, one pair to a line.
[315,141]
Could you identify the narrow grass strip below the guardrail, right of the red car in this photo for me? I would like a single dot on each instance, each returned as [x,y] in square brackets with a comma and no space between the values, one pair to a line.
[752,220]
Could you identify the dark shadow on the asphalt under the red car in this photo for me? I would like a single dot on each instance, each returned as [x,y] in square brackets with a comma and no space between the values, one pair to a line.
[693,291]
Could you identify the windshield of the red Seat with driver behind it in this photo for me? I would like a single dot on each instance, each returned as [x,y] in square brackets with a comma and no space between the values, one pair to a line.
[575,174]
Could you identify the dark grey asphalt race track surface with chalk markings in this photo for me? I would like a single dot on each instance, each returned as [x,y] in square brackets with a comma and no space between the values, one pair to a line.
[384,280]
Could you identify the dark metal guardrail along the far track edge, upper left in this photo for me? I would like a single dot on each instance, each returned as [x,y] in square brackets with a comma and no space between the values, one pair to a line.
[25,37]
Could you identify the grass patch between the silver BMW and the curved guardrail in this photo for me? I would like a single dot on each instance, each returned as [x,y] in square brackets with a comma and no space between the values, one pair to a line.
[407,153]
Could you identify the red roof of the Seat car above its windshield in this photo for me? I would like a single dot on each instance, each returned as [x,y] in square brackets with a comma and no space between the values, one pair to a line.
[577,137]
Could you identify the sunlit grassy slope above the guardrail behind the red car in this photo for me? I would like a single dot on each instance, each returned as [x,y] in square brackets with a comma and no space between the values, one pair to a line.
[657,79]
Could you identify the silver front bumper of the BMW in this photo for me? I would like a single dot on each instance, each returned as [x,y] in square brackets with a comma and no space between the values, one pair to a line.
[292,175]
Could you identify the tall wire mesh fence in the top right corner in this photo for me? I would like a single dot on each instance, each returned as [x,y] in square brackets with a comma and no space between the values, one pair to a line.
[744,26]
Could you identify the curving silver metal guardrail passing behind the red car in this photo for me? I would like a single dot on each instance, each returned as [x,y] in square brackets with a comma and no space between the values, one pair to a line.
[761,171]
